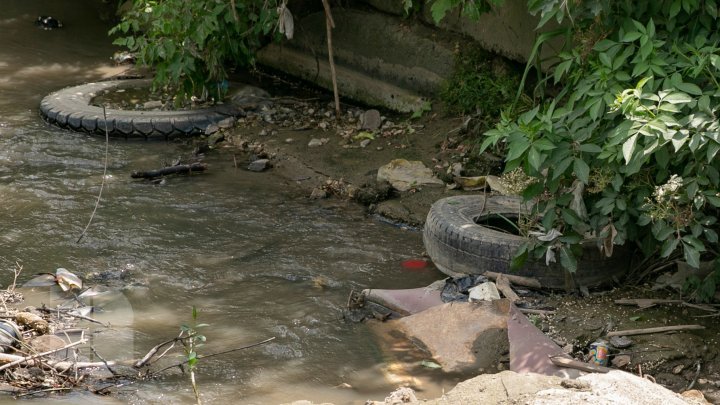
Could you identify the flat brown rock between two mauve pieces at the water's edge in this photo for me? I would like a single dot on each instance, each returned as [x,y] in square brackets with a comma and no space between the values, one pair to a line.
[478,331]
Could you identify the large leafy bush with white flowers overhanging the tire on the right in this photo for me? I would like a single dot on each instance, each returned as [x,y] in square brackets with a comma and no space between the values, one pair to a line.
[627,150]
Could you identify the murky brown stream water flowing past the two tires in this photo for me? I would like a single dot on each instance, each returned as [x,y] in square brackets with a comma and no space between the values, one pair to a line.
[256,258]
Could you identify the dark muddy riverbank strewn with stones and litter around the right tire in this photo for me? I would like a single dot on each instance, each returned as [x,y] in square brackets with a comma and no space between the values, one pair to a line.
[333,162]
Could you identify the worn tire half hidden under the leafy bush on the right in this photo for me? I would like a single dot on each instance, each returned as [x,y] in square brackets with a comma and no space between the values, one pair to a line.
[458,245]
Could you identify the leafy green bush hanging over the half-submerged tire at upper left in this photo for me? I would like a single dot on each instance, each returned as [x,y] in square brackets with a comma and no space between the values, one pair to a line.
[190,43]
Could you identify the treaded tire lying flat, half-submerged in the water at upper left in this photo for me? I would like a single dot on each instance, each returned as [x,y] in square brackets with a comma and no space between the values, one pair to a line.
[72,108]
